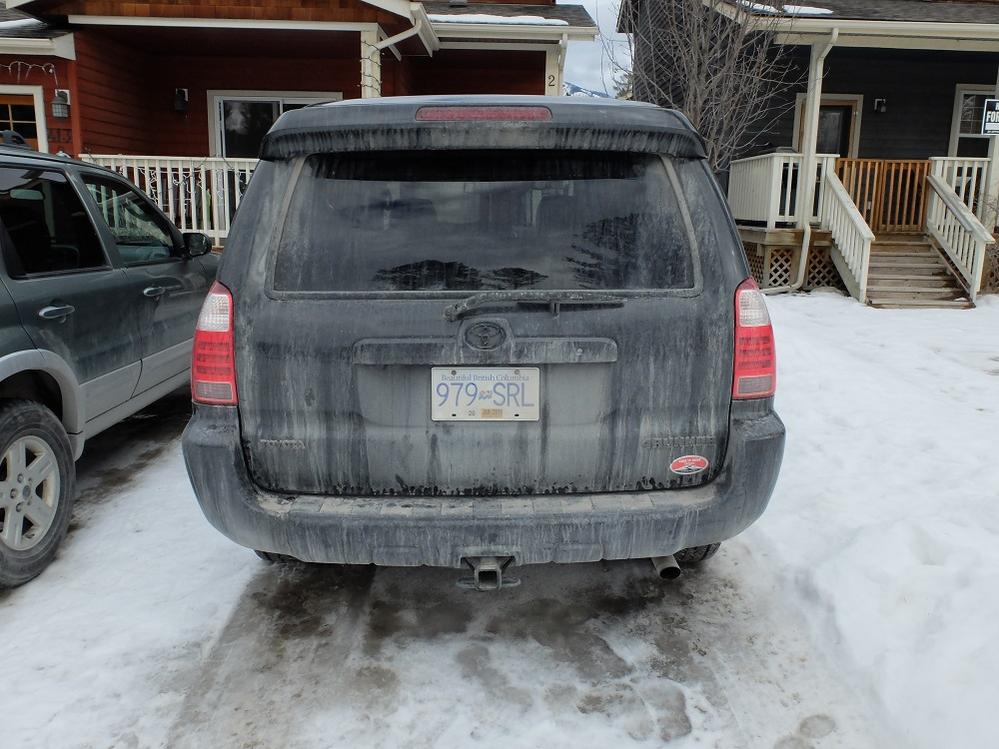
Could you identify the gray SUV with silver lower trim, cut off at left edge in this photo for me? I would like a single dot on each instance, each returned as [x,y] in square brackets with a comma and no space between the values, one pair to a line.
[99,294]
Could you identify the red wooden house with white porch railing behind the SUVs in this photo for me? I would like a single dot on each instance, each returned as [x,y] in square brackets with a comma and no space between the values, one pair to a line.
[178,93]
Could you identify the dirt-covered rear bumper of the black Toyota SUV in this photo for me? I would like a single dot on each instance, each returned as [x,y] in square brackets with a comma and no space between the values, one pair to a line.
[440,531]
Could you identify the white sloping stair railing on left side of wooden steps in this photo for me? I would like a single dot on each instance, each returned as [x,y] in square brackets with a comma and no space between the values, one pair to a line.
[850,232]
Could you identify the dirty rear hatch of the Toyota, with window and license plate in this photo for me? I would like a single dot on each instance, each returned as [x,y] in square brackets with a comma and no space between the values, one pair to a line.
[486,323]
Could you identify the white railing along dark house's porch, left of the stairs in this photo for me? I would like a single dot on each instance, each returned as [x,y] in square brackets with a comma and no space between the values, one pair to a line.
[764,189]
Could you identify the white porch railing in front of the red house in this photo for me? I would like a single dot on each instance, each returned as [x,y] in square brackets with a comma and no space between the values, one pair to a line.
[198,194]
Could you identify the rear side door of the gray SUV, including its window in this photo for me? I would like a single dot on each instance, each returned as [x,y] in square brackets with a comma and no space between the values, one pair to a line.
[70,299]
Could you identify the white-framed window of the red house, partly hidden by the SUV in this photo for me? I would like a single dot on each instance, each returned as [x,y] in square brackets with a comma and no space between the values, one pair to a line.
[242,118]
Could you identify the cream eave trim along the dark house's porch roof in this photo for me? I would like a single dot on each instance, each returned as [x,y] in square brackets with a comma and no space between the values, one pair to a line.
[964,37]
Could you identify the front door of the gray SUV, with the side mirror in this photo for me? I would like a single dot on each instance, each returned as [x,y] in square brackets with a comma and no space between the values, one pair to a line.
[167,287]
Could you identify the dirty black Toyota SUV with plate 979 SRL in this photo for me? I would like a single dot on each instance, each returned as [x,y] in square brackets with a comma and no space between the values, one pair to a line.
[481,331]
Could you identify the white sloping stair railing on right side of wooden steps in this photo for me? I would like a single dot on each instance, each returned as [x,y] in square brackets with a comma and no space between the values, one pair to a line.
[960,234]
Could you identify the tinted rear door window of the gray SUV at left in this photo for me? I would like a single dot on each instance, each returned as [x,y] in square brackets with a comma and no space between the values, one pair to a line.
[45,226]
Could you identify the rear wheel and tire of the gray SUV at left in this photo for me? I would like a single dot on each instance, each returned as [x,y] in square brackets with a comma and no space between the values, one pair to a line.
[37,489]
